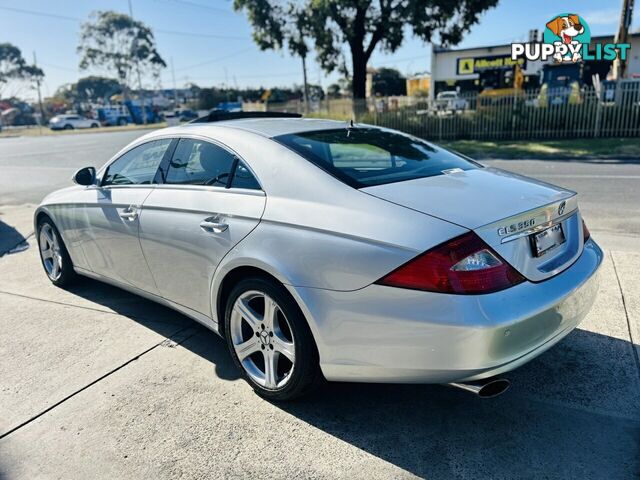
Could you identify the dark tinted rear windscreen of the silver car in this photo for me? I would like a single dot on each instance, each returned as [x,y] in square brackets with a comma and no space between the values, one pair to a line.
[363,157]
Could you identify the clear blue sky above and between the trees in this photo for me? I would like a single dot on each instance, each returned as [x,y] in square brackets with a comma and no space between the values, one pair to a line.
[210,44]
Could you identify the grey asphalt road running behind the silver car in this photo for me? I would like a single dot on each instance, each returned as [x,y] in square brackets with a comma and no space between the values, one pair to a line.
[31,167]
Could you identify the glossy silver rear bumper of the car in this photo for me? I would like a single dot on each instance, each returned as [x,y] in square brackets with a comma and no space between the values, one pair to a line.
[386,334]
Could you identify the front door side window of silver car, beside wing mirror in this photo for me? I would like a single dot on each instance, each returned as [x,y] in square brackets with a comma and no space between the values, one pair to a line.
[138,166]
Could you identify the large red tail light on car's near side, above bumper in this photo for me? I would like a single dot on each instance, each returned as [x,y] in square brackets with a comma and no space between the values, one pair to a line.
[464,265]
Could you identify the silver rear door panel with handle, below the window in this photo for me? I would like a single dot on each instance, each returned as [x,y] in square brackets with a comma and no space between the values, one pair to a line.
[183,255]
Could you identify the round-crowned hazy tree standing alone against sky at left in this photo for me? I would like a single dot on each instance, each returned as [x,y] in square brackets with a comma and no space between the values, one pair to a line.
[118,44]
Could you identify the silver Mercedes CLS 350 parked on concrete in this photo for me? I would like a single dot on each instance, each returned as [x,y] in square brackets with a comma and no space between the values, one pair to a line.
[326,250]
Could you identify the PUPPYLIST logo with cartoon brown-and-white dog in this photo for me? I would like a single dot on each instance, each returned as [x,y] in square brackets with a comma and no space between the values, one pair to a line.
[567,39]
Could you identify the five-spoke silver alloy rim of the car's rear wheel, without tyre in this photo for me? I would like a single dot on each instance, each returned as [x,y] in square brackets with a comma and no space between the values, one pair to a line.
[262,339]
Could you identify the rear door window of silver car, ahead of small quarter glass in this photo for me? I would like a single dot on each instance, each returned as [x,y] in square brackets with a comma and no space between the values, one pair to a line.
[196,162]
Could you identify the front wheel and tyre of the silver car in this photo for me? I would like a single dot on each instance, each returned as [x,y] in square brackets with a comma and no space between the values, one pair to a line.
[54,256]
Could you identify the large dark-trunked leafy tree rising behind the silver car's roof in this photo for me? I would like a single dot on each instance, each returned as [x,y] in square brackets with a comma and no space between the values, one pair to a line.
[362,25]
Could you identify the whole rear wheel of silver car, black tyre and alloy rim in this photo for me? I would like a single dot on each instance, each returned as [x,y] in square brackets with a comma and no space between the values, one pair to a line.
[272,346]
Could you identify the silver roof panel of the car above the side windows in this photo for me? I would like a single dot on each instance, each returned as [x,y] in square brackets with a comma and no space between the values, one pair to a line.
[272,127]
